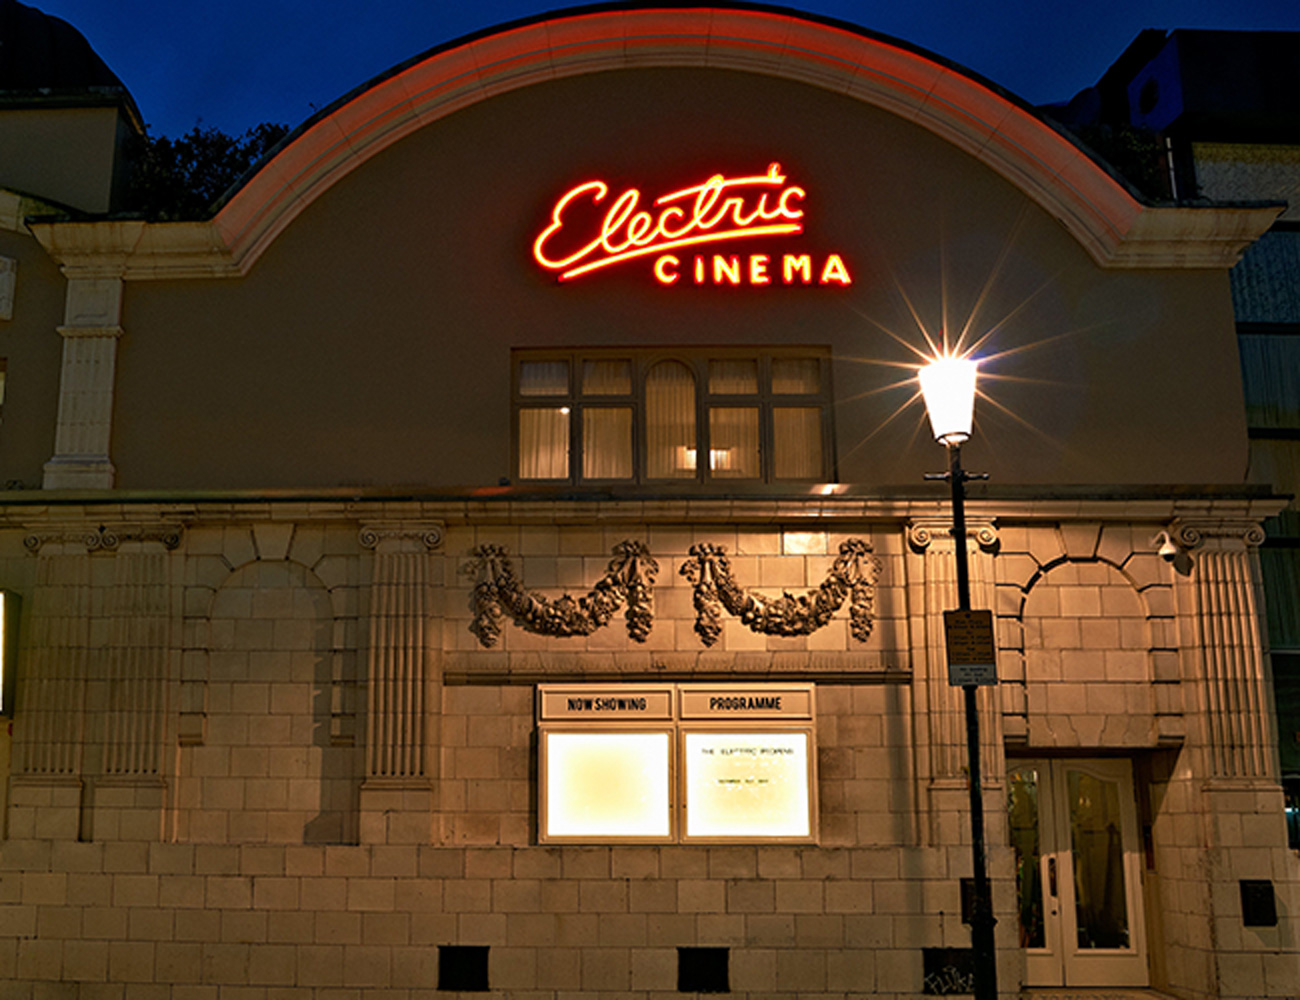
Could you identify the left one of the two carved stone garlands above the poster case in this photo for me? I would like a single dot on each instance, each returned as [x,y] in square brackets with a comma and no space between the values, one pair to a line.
[629,581]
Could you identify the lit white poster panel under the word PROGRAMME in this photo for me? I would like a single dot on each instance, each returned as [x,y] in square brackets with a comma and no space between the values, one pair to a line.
[748,785]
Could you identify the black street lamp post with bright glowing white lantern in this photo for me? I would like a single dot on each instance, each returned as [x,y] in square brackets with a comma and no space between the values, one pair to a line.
[948,387]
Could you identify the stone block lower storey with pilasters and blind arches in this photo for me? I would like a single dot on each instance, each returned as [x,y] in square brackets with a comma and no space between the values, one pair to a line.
[266,755]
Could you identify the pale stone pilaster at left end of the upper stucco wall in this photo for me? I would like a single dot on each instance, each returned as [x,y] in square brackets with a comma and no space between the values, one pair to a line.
[92,327]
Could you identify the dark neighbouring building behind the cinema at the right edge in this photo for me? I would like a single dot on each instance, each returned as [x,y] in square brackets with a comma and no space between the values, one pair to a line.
[1215,116]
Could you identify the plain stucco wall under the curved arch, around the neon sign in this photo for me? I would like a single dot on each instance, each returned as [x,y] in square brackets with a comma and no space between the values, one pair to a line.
[371,344]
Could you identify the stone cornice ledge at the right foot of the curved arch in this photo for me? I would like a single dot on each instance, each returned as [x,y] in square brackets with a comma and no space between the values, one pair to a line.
[1191,237]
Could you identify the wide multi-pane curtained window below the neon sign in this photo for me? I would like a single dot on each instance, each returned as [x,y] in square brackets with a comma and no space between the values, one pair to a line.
[673,417]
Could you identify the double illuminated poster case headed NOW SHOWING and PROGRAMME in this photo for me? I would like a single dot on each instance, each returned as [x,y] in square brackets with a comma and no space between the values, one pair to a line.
[677,763]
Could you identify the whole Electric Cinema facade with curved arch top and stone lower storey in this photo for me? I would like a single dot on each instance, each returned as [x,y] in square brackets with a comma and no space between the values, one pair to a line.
[493,552]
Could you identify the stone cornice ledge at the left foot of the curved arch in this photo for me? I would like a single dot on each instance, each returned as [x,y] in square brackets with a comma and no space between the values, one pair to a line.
[137,250]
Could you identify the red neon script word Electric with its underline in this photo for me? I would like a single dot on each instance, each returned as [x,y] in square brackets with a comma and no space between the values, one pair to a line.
[704,217]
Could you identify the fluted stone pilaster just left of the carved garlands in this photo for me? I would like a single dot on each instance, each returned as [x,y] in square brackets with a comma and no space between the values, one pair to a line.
[397,796]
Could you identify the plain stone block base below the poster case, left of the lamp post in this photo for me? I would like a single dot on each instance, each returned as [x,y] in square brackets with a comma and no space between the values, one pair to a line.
[197,923]
